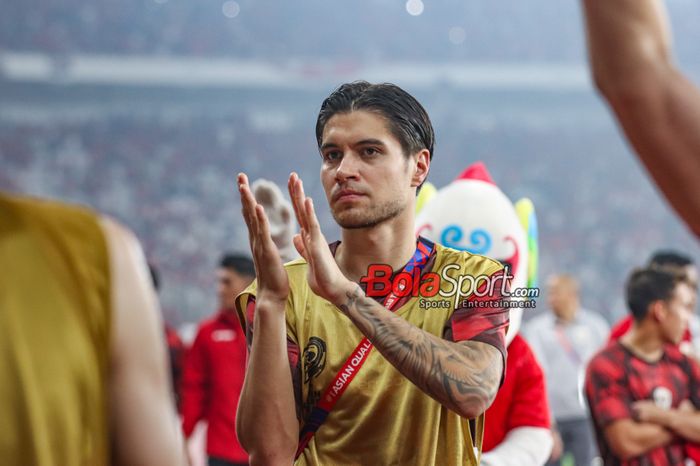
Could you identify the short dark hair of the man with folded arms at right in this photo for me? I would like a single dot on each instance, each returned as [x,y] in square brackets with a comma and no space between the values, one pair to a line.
[645,286]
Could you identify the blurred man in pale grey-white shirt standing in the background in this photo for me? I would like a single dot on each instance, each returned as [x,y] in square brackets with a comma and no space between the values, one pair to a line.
[563,340]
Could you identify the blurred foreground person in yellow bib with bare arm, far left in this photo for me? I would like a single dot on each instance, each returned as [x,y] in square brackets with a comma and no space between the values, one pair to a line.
[82,357]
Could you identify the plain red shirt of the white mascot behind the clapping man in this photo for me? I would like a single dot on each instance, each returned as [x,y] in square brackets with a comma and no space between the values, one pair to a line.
[522,399]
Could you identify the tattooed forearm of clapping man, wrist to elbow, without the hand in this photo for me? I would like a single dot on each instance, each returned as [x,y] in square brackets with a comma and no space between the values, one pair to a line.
[462,376]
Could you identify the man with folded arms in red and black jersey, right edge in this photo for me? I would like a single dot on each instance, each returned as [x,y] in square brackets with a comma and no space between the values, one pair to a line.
[642,391]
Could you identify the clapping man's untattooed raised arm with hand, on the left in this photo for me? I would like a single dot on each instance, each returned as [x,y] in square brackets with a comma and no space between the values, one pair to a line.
[266,421]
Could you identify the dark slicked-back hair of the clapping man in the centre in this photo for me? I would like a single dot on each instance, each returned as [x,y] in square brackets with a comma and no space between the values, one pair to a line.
[407,119]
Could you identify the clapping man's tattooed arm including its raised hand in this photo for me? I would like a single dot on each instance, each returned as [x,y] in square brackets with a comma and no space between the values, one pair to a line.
[462,376]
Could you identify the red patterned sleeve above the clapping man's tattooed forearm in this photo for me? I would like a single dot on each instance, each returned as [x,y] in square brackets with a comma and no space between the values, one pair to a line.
[482,318]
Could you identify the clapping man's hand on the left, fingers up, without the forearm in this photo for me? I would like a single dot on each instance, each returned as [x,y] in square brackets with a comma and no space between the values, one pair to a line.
[273,284]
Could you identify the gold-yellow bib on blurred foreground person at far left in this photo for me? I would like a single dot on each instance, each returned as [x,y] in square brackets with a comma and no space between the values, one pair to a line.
[54,335]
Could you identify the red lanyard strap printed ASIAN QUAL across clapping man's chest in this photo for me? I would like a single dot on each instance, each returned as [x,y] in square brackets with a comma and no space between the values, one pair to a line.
[352,365]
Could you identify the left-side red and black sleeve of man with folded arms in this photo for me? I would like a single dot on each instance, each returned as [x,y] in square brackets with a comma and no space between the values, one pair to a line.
[608,396]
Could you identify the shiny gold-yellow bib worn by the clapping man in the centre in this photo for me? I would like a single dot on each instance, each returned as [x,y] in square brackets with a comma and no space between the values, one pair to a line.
[382,418]
